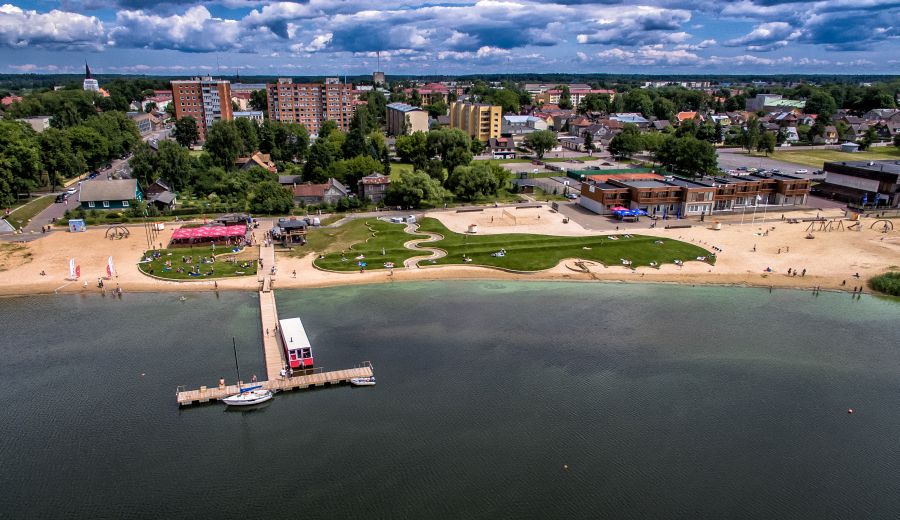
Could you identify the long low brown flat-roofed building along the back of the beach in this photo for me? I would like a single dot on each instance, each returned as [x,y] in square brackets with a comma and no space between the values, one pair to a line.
[677,196]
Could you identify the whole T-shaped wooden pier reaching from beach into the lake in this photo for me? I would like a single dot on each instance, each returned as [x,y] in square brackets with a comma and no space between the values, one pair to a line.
[274,353]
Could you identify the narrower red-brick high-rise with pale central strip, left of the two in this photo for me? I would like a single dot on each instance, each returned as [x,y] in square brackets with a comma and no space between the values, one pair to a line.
[205,99]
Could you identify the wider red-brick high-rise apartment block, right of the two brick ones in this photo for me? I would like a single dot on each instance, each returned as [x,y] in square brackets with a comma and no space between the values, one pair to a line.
[311,104]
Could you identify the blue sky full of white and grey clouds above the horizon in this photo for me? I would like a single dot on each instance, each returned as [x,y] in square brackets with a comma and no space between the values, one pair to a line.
[422,37]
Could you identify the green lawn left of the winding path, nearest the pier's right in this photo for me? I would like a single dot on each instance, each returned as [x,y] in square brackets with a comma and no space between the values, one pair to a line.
[361,237]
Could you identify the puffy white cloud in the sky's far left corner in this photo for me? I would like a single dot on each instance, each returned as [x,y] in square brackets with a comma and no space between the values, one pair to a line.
[56,29]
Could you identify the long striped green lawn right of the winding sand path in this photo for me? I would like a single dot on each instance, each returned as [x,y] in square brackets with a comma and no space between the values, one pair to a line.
[538,252]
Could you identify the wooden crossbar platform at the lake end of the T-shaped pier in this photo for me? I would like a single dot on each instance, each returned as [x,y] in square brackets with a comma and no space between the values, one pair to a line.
[316,378]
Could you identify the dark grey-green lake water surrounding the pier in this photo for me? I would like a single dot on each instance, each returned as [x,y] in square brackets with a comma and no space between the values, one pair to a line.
[664,402]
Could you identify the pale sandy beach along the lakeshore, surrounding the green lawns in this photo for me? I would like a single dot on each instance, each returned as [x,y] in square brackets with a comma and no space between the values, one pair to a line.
[831,259]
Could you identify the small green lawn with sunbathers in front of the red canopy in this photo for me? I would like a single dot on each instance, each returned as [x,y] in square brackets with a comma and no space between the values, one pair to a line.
[221,268]
